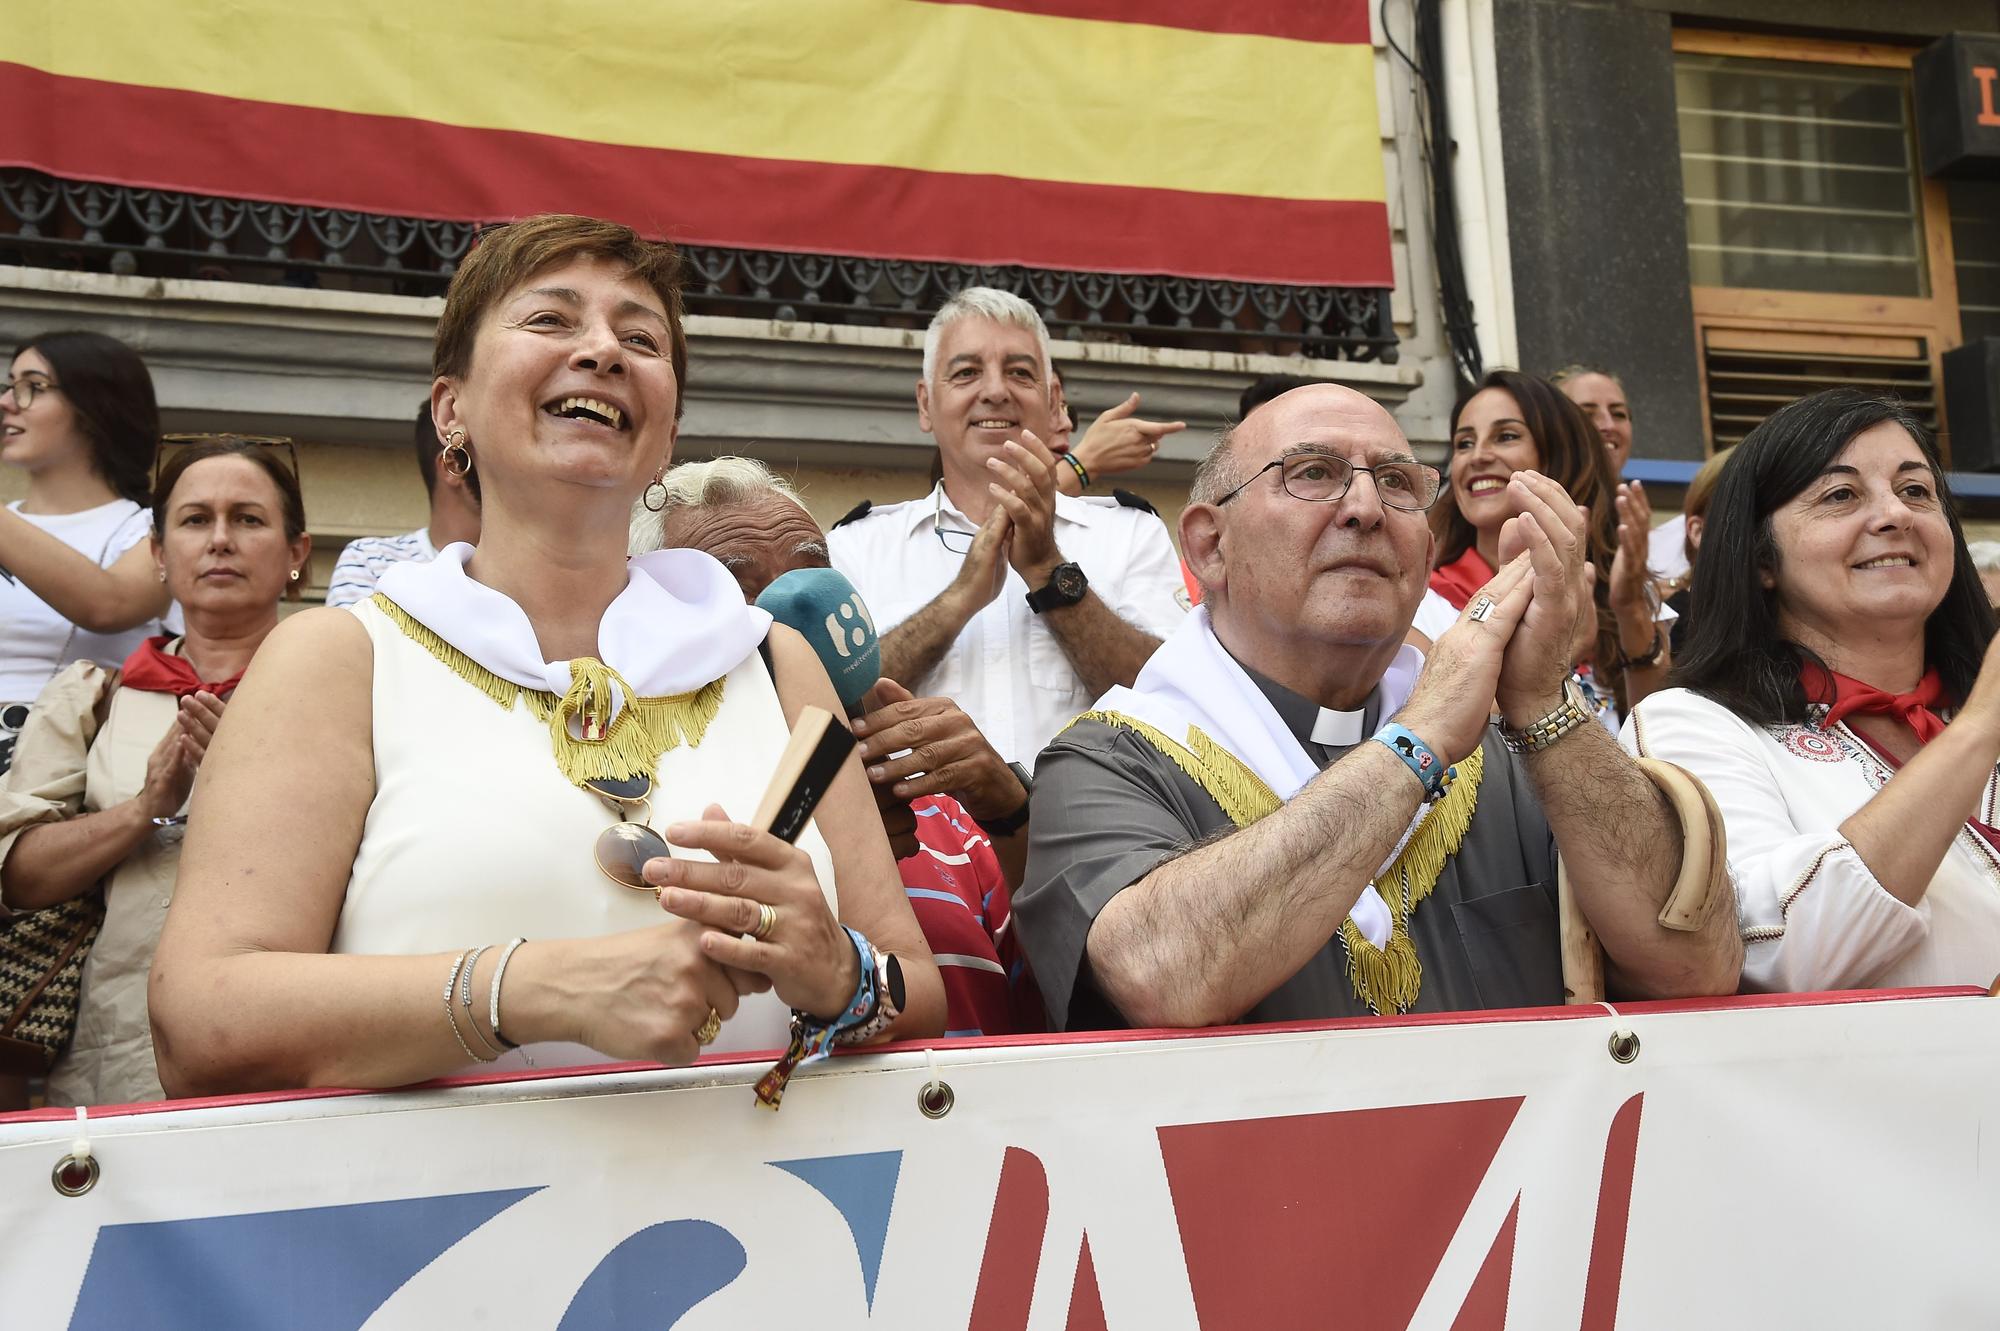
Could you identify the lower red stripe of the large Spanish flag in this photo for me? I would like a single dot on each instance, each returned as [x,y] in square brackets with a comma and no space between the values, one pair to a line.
[385,165]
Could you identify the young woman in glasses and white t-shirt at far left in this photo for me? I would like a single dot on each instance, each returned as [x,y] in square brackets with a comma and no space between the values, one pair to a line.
[77,585]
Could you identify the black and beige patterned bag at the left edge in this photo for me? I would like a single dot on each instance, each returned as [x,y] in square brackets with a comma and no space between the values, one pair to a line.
[41,980]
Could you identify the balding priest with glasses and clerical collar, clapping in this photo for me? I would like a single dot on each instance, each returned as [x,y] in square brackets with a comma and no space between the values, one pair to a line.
[1297,816]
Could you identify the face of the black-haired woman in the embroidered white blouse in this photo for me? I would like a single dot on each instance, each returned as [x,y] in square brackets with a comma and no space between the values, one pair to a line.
[1865,547]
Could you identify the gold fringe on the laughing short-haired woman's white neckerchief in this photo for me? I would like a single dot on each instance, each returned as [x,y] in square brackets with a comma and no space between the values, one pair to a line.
[611,746]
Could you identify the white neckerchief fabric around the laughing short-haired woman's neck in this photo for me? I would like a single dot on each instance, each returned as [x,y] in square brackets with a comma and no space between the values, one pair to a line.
[679,625]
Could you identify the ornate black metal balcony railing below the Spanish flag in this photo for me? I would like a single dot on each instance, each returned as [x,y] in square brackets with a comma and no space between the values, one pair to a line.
[49,223]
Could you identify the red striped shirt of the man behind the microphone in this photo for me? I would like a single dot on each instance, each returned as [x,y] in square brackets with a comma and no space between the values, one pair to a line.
[961,902]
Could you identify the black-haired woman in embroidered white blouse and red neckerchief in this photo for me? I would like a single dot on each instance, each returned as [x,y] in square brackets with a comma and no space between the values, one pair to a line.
[1841,698]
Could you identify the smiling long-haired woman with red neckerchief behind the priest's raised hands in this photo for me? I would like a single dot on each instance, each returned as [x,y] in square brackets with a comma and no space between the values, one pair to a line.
[1517,423]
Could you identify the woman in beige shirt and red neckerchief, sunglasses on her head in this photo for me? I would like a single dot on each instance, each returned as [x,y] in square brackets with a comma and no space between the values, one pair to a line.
[101,780]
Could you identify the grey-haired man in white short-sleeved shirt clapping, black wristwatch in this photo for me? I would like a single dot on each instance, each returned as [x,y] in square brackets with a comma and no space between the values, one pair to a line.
[1017,603]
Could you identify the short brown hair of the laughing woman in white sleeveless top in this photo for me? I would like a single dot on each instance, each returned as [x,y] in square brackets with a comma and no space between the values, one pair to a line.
[507,257]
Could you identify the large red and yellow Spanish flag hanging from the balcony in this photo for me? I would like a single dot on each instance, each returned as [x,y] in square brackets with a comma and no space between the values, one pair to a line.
[1205,139]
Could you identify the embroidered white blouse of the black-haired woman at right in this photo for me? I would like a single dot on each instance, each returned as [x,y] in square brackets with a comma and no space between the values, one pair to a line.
[1813,914]
